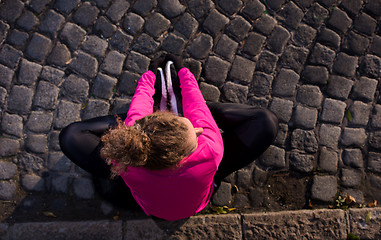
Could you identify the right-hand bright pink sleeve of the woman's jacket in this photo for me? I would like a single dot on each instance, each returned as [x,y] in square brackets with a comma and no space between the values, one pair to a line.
[196,110]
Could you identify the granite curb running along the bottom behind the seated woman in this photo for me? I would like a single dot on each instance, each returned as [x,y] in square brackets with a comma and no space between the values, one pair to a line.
[301,224]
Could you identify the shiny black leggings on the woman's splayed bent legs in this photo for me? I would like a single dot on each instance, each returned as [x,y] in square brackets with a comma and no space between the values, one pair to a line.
[247,133]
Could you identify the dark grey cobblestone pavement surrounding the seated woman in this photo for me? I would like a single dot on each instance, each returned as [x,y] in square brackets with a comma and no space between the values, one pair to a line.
[315,64]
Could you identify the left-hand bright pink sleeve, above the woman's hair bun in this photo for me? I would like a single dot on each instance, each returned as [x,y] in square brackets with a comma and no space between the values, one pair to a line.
[142,101]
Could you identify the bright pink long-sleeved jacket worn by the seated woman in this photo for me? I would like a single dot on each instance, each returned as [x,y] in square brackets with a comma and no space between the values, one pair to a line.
[174,194]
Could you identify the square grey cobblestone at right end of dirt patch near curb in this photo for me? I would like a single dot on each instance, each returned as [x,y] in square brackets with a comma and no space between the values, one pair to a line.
[324,188]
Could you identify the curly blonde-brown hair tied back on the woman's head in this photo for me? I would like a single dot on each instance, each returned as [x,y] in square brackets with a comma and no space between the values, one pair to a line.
[157,141]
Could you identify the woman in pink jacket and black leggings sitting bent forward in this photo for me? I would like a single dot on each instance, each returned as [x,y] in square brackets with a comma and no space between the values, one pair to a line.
[170,162]
